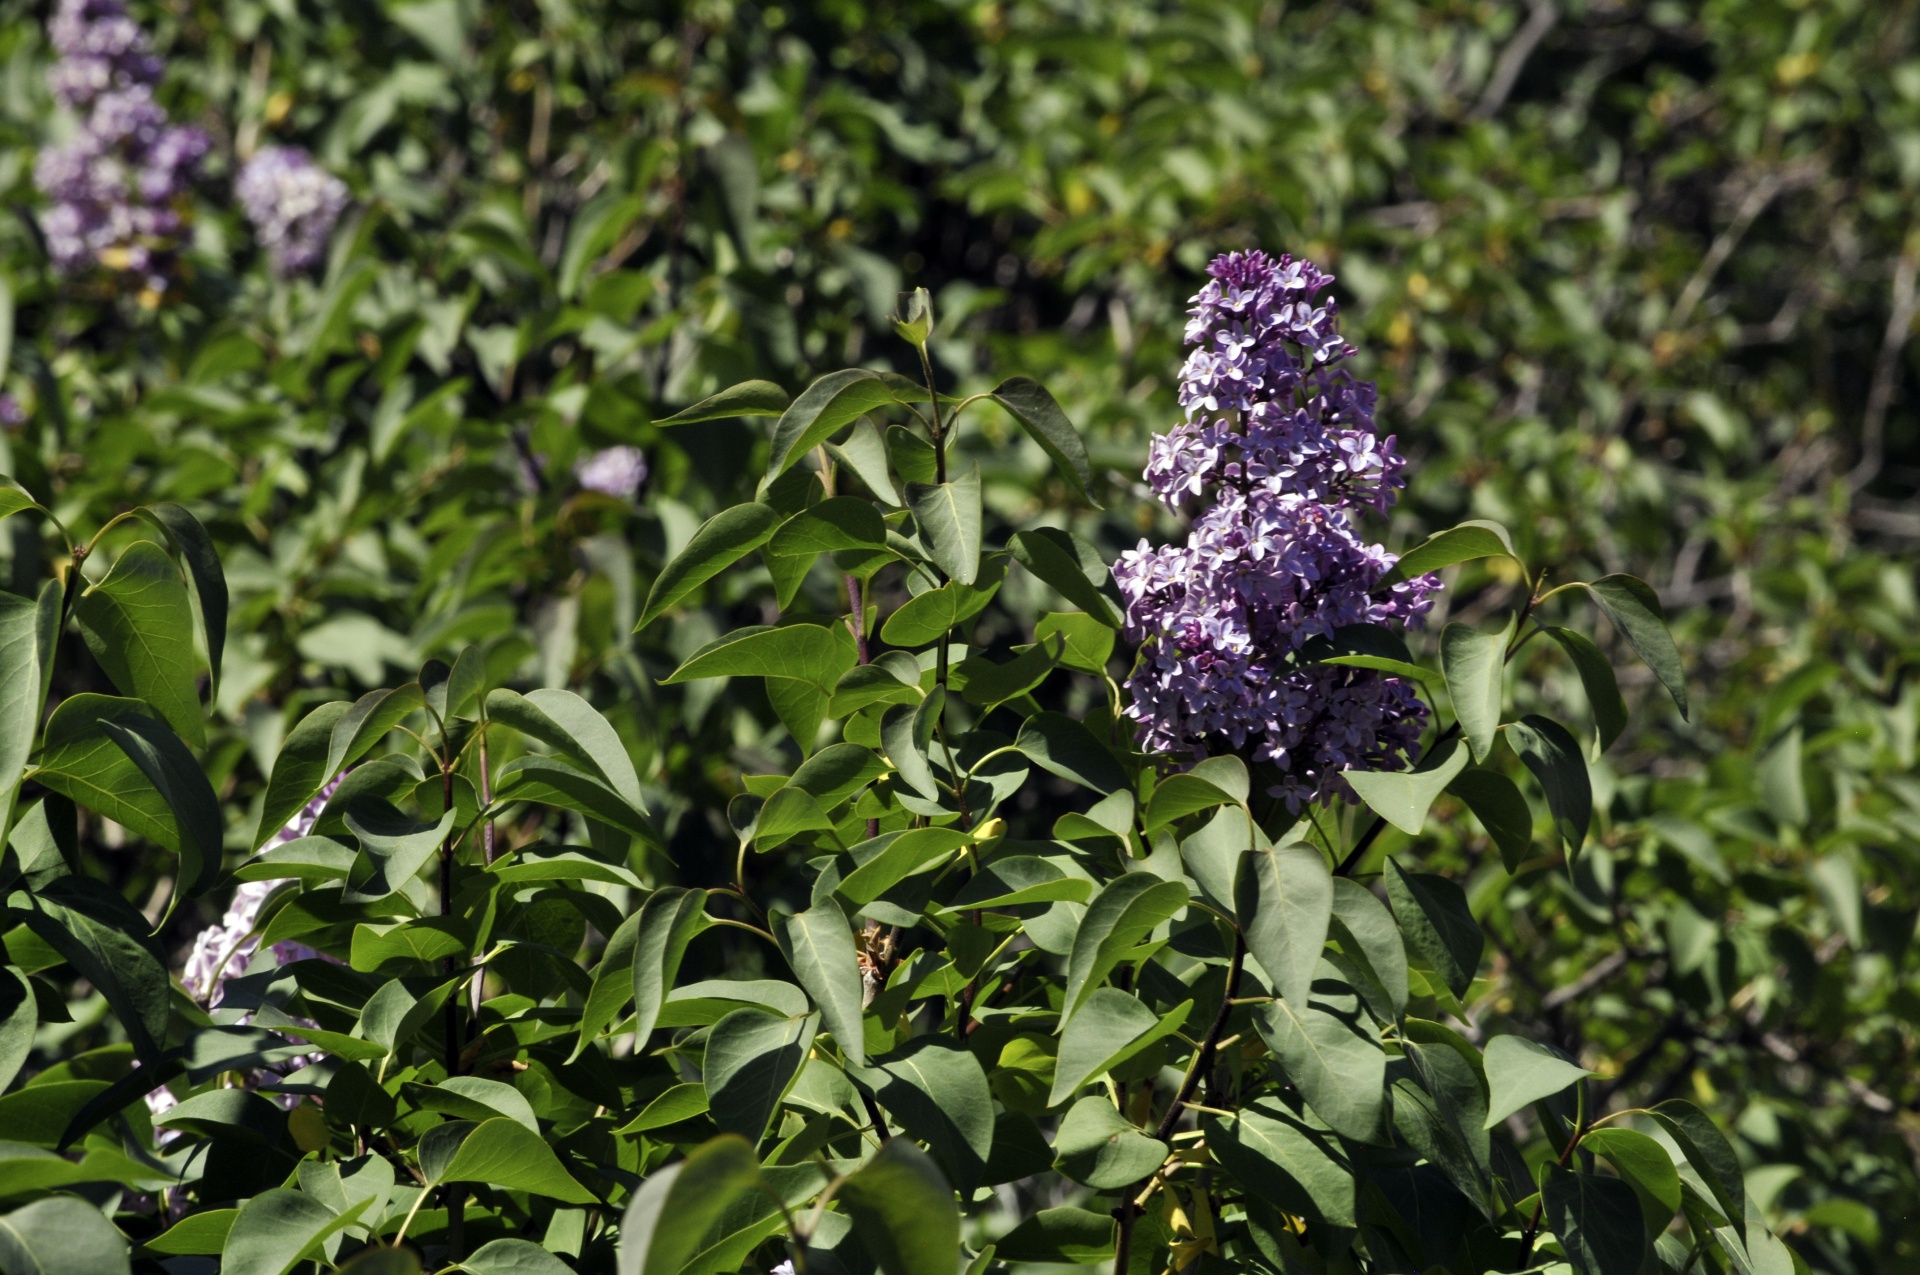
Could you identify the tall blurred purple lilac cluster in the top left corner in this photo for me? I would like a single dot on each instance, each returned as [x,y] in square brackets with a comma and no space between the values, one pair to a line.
[118,187]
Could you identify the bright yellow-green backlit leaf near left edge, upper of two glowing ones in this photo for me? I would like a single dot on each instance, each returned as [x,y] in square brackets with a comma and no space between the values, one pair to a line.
[141,629]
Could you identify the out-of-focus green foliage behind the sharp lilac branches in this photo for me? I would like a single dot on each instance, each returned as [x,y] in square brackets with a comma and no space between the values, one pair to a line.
[1637,279]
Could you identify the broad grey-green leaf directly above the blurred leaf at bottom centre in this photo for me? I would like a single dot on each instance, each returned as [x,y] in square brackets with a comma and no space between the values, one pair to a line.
[940,1095]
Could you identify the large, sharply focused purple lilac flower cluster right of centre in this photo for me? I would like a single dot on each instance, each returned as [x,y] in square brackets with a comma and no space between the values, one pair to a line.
[1282,441]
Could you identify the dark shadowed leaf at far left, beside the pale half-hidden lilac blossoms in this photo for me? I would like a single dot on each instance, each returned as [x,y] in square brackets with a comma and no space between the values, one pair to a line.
[105,940]
